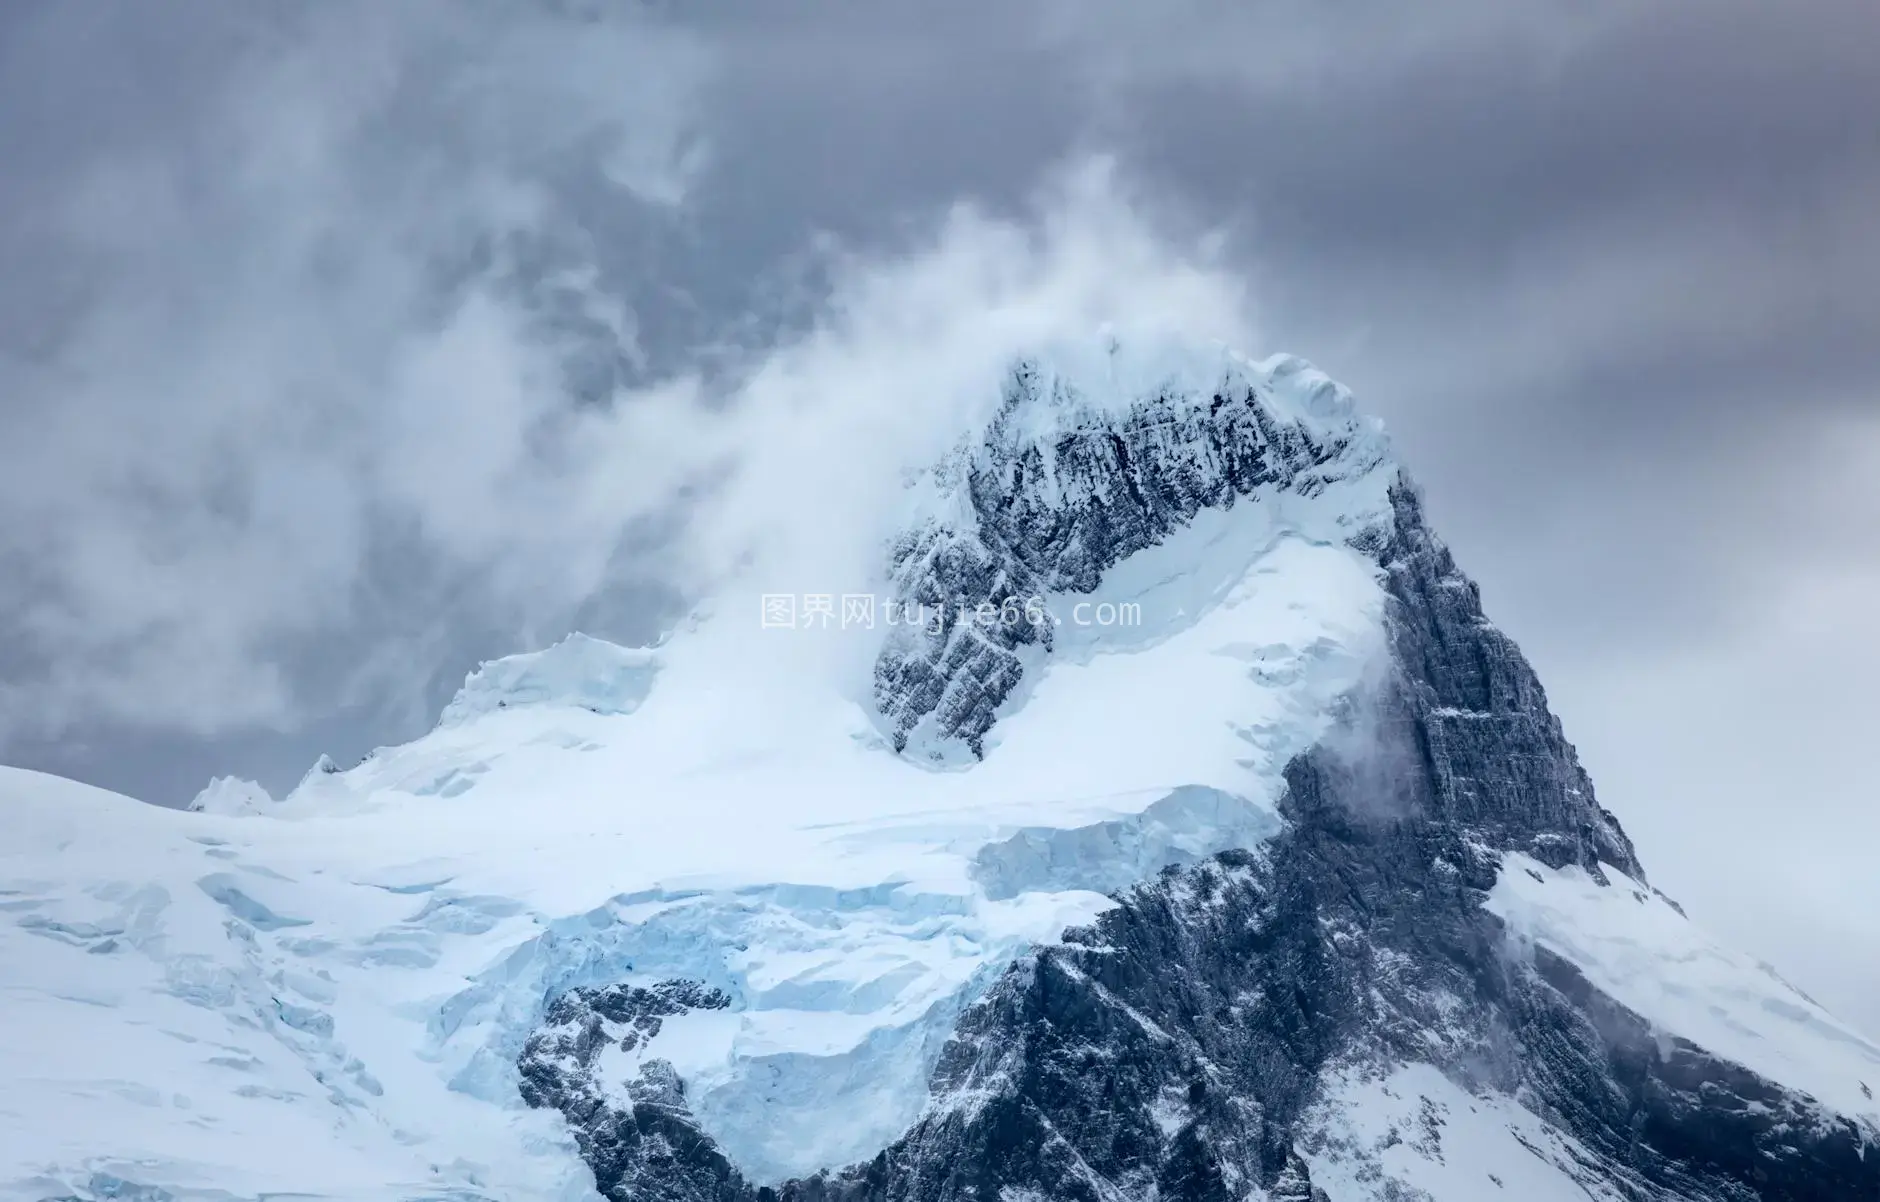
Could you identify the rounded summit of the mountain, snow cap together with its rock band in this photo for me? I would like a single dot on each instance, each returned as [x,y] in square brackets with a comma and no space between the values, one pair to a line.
[1097,454]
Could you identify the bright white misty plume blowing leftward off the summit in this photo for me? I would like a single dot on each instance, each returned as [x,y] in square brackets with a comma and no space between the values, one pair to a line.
[911,353]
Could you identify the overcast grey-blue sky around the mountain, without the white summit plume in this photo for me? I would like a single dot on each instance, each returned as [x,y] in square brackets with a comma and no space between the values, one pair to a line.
[296,304]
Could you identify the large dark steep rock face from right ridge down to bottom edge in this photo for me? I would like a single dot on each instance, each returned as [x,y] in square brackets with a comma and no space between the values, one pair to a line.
[1183,1047]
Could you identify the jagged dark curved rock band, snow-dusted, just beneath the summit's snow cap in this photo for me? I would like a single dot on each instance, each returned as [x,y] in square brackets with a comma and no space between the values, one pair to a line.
[1059,492]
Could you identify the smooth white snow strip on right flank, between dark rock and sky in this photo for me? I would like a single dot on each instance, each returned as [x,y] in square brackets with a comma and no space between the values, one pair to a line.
[1642,953]
